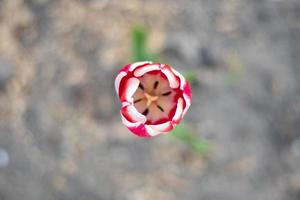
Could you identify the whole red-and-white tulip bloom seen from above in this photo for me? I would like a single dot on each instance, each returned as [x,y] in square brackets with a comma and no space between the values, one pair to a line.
[154,97]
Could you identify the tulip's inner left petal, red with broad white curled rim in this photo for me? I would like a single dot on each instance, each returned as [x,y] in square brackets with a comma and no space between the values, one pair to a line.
[129,89]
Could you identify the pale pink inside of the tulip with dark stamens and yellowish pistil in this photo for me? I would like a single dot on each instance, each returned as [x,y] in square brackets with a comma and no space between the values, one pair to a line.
[154,98]
